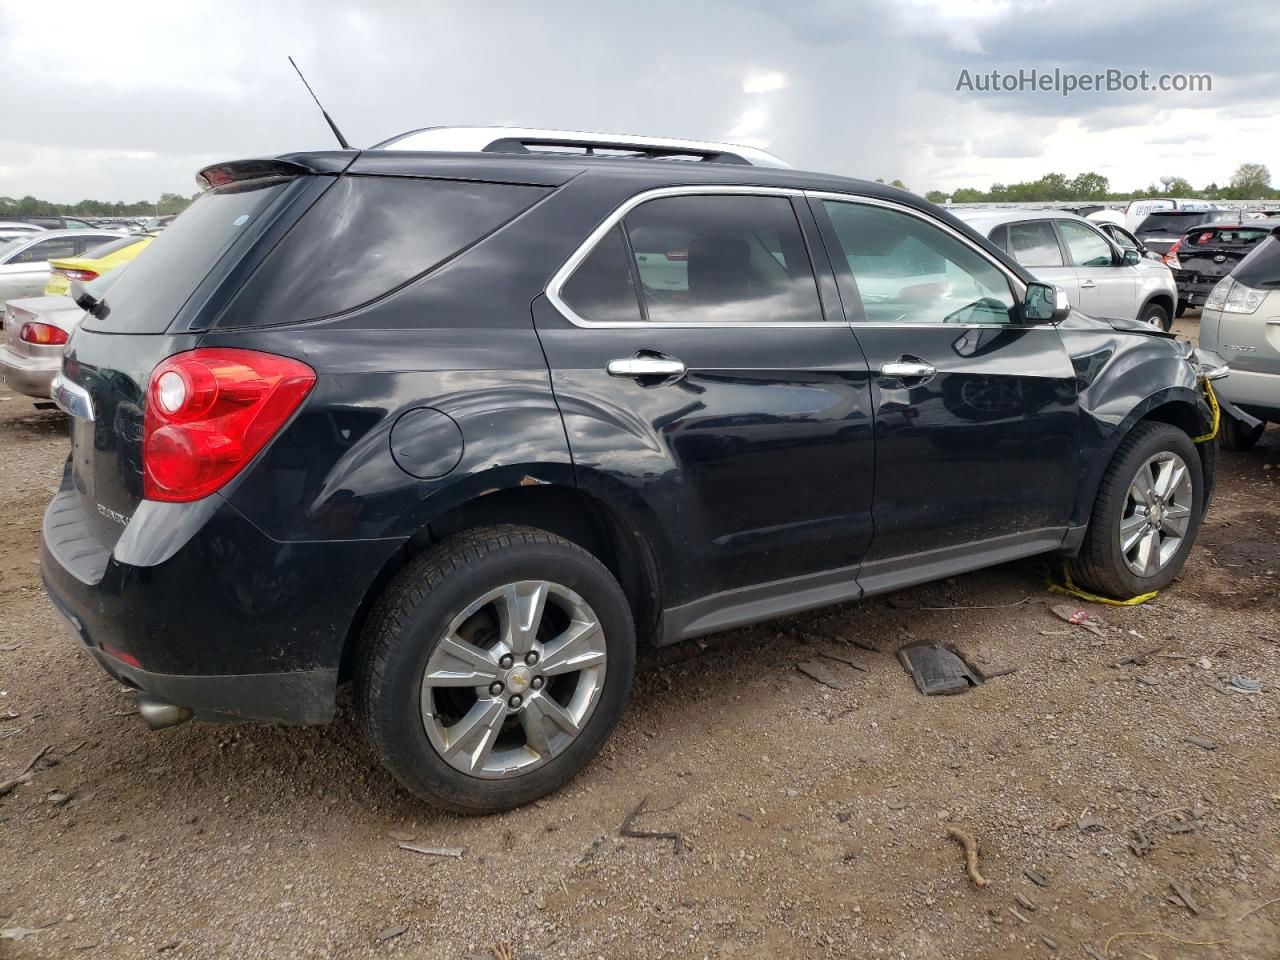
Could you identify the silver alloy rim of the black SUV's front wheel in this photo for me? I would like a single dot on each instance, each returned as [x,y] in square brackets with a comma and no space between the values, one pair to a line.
[1158,514]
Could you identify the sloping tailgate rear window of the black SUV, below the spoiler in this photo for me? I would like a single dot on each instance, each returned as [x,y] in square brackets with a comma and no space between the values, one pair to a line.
[147,298]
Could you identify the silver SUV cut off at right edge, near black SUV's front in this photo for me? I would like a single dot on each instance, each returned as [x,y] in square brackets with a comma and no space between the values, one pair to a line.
[1241,330]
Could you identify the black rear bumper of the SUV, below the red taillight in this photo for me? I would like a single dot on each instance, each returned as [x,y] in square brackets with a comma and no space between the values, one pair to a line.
[231,624]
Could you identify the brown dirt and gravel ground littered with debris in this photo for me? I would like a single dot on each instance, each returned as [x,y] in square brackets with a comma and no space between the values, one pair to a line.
[815,821]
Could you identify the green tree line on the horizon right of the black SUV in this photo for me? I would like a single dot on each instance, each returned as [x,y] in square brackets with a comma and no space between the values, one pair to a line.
[1249,182]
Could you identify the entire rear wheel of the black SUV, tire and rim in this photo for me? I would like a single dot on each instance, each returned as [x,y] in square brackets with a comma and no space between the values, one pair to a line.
[495,668]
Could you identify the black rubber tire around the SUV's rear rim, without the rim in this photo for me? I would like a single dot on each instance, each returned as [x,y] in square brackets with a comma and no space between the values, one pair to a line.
[408,624]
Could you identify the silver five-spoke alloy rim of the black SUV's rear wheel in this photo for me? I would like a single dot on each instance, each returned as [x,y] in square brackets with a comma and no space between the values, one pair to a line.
[515,679]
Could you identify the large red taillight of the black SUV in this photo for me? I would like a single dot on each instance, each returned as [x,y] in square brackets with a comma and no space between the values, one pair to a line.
[209,413]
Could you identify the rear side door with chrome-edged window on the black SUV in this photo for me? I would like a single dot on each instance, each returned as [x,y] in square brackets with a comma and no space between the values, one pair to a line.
[706,381]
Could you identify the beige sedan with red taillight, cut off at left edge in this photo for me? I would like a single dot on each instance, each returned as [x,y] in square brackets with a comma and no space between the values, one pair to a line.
[36,331]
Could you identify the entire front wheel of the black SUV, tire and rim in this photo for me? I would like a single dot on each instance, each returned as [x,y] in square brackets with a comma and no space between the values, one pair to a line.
[1146,515]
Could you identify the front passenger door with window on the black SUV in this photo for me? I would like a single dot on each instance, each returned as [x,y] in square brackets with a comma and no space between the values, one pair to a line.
[976,412]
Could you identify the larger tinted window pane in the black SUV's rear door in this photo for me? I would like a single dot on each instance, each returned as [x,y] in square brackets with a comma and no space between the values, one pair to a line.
[724,259]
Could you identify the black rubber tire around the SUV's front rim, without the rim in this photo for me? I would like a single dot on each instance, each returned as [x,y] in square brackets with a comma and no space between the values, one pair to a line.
[1100,565]
